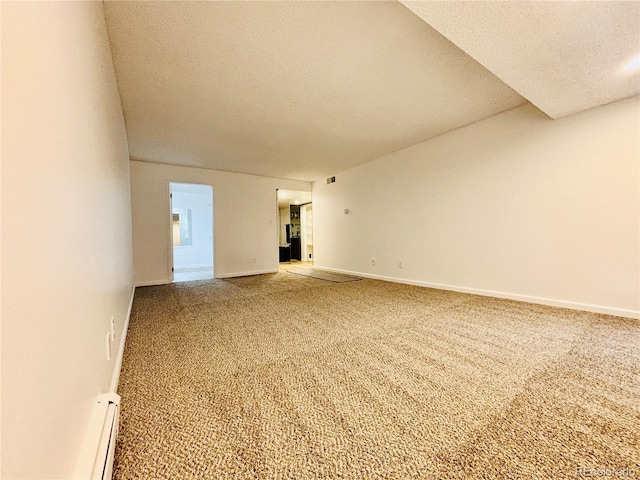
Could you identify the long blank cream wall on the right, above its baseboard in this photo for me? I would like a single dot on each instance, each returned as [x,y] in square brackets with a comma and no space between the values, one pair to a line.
[517,205]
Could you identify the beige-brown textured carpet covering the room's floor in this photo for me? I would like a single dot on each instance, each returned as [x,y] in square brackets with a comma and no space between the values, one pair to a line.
[284,377]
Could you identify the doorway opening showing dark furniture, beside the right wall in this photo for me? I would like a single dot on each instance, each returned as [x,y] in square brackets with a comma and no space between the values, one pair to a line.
[295,219]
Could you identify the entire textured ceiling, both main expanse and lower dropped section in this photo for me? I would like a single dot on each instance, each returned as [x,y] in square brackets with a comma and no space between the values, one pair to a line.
[304,90]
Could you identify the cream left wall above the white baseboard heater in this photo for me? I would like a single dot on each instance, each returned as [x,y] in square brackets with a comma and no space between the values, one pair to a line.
[66,230]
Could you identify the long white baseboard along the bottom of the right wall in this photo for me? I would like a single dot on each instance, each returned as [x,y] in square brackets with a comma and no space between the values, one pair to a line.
[619,312]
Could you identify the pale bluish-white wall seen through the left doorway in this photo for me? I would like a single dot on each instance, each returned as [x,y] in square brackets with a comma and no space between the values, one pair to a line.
[199,200]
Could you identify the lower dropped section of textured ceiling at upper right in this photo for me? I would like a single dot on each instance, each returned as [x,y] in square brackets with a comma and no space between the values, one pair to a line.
[563,56]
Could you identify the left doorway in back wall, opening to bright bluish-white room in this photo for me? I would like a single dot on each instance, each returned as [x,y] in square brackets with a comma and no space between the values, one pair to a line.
[191,231]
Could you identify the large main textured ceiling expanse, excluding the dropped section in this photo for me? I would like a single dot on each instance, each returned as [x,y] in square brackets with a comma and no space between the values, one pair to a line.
[297,90]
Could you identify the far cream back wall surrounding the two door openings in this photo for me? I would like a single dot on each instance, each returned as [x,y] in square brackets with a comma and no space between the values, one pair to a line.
[245,215]
